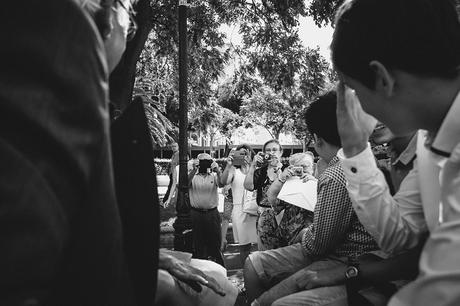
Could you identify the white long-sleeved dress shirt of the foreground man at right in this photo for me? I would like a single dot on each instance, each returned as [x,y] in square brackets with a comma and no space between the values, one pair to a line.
[397,223]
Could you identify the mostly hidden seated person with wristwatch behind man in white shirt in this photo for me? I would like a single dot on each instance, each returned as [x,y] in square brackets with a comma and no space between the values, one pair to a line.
[372,280]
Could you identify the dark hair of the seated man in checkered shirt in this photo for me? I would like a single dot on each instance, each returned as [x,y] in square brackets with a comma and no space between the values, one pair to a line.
[321,118]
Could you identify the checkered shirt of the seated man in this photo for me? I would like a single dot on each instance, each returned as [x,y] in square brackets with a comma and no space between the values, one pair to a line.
[336,229]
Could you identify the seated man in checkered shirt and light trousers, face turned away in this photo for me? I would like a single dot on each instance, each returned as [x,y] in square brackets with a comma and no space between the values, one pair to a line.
[335,236]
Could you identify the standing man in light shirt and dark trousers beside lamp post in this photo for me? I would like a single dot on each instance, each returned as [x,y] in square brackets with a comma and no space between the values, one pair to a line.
[204,179]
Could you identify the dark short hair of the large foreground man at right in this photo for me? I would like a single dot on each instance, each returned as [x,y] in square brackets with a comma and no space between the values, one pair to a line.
[417,36]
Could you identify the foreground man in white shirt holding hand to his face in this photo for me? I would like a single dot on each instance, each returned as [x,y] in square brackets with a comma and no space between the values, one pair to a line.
[402,59]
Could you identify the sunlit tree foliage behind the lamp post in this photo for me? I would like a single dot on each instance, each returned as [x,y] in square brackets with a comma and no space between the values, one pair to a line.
[271,56]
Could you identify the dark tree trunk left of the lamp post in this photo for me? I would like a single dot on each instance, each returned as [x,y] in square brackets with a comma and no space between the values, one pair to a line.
[122,78]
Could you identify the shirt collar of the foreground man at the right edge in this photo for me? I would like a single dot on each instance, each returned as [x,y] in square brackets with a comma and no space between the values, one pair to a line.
[448,135]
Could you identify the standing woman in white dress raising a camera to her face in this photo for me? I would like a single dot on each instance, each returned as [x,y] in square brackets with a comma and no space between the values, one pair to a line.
[244,224]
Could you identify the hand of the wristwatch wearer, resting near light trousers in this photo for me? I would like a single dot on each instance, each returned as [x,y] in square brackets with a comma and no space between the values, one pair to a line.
[321,277]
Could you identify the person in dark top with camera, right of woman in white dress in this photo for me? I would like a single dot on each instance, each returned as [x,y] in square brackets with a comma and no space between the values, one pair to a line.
[262,173]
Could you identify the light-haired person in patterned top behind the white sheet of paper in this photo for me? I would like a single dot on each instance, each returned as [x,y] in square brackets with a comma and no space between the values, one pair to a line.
[294,217]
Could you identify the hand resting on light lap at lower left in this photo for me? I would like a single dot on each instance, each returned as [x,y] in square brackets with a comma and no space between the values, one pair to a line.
[188,274]
